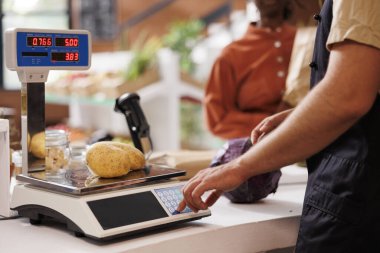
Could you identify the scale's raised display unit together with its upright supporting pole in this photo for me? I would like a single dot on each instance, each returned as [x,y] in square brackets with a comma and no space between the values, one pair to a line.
[33,53]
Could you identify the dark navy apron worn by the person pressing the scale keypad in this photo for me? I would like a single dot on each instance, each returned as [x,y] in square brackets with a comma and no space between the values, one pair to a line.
[341,211]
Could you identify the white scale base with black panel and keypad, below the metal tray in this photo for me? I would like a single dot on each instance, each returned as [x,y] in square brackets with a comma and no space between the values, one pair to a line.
[107,215]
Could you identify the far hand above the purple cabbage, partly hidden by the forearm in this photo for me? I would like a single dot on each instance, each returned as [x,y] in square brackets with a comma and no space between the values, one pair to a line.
[268,124]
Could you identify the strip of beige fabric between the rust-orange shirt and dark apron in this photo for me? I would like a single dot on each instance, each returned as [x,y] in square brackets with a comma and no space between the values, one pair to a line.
[298,79]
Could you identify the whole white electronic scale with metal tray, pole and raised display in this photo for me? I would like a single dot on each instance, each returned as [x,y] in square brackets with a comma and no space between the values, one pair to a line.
[99,208]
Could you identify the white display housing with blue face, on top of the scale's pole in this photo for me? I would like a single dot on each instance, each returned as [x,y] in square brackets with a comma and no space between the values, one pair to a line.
[45,49]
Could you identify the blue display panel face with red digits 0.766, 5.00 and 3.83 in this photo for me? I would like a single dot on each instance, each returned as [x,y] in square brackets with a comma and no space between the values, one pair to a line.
[52,49]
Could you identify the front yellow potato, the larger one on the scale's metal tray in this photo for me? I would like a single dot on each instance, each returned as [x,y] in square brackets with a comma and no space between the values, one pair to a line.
[107,160]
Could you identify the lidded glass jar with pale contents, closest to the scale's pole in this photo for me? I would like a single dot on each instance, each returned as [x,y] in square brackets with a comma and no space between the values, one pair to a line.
[57,150]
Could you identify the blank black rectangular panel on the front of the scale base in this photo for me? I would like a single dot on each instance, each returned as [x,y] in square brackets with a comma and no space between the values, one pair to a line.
[126,210]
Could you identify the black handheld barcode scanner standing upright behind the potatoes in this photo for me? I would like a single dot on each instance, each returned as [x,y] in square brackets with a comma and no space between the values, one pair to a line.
[129,105]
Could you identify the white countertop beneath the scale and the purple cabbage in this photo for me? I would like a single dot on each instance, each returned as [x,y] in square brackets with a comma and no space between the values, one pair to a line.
[269,224]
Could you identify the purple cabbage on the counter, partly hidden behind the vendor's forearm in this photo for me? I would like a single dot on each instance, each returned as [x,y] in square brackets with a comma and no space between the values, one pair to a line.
[256,187]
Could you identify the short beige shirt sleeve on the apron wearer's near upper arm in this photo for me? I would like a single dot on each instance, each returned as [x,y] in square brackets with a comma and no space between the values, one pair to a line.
[357,20]
